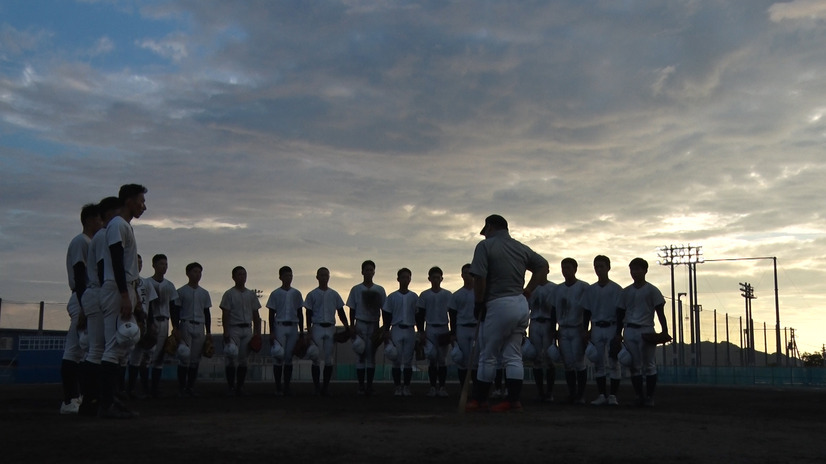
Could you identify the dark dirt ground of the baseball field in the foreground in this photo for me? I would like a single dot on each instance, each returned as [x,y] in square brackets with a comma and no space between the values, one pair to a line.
[689,424]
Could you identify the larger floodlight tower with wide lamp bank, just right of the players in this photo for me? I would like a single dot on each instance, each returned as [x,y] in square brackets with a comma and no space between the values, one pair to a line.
[689,255]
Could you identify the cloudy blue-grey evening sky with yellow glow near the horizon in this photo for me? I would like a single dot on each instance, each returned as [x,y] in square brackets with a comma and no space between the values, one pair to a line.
[324,133]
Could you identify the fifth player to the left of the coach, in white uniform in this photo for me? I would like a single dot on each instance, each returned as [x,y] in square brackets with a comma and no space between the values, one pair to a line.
[323,304]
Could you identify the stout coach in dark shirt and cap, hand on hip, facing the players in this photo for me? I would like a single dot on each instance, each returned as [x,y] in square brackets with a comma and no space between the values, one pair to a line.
[498,268]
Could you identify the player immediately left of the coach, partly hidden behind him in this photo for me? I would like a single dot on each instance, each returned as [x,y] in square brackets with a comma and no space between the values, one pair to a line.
[461,307]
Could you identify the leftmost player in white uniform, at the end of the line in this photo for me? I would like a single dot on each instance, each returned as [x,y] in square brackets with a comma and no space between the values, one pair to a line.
[76,257]
